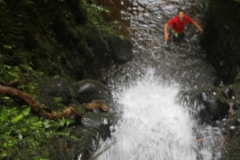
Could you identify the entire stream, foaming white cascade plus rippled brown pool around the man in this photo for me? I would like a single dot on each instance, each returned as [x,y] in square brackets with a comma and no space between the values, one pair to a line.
[155,124]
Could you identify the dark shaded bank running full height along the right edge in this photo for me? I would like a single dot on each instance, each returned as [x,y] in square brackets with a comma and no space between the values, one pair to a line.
[222,41]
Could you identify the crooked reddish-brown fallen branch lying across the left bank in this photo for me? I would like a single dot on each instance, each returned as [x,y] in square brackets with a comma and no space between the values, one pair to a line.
[37,107]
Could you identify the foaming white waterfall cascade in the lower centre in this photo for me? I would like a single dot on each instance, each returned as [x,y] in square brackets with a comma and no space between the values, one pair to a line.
[154,126]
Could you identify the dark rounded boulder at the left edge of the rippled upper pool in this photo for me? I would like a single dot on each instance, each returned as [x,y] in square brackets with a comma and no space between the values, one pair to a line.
[120,50]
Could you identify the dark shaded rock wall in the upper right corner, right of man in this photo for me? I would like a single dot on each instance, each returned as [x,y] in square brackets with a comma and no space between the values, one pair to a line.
[222,38]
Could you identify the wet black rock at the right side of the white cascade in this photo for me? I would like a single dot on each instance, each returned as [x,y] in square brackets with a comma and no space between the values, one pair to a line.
[214,109]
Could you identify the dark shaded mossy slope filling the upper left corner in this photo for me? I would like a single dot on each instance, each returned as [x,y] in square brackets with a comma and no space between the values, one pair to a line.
[54,37]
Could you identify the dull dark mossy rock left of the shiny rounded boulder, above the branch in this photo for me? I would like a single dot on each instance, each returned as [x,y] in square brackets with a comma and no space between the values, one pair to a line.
[55,88]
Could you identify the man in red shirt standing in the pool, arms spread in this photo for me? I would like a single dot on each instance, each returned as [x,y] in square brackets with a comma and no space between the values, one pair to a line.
[177,24]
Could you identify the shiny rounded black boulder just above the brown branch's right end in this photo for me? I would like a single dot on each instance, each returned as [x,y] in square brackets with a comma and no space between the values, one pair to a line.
[89,90]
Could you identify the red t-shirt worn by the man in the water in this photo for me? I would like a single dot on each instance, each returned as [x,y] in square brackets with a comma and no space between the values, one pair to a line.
[177,25]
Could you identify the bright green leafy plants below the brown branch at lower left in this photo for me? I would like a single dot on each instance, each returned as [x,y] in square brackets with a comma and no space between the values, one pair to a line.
[23,133]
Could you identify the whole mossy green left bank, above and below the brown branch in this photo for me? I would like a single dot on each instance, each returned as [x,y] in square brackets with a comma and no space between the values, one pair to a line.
[38,40]
